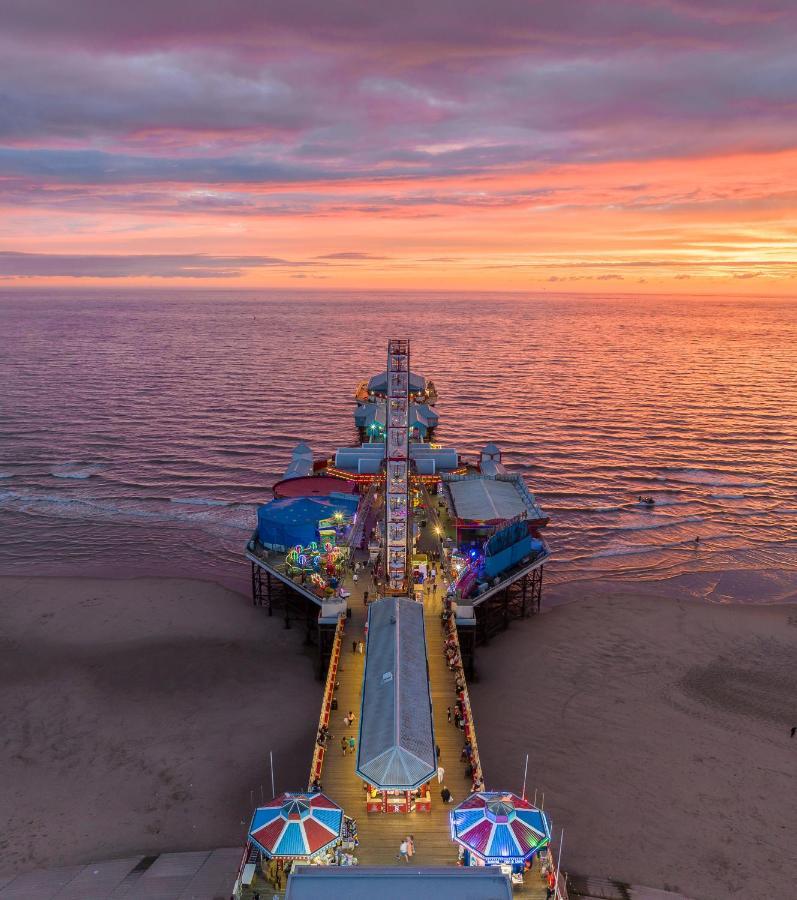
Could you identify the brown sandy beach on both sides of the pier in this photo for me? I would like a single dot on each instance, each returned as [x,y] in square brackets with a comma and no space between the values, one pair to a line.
[137,716]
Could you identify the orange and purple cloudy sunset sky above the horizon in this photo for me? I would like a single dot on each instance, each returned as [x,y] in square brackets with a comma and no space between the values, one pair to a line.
[569,145]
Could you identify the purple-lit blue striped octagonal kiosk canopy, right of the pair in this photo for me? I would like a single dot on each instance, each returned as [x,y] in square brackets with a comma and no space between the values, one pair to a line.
[499,827]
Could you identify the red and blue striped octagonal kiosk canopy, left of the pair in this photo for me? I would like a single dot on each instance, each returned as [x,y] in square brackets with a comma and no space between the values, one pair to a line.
[296,825]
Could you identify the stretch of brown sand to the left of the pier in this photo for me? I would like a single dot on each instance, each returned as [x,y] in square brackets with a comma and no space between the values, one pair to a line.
[137,715]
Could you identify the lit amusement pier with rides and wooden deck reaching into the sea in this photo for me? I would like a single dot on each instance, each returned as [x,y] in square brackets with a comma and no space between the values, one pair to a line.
[477,529]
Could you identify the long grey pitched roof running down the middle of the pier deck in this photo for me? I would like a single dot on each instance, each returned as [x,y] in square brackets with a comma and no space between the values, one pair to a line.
[396,749]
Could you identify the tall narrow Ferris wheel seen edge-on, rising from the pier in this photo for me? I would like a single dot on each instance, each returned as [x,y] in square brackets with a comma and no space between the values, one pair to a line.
[397,462]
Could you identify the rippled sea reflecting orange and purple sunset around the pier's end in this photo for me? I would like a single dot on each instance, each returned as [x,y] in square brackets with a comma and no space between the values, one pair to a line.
[138,431]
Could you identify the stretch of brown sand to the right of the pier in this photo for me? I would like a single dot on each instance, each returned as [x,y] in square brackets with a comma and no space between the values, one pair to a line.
[658,729]
